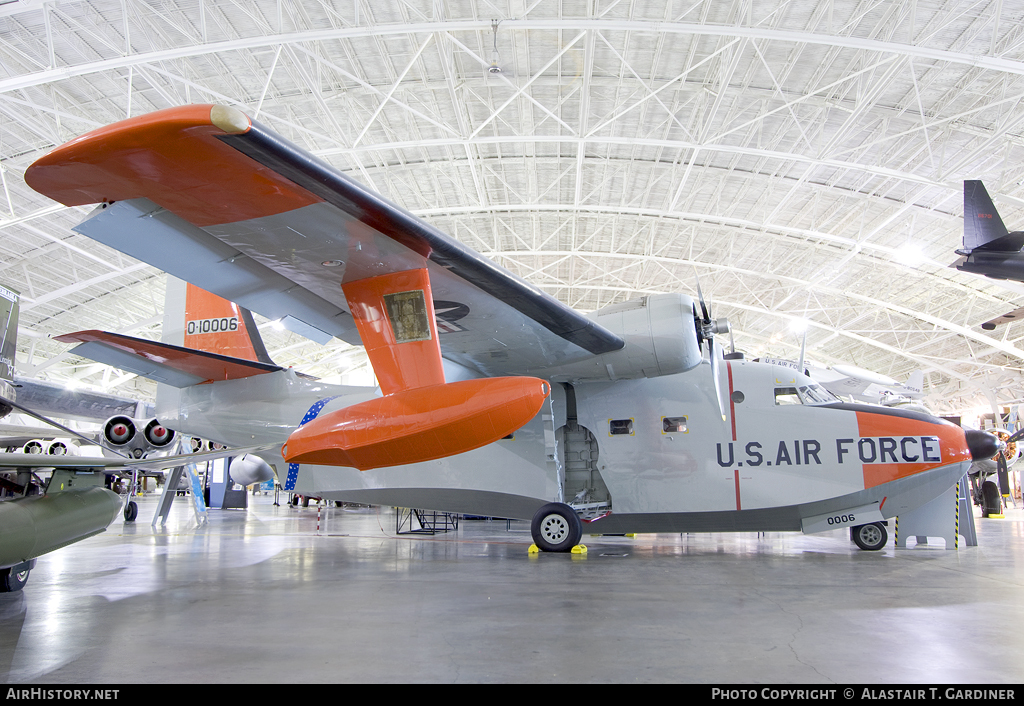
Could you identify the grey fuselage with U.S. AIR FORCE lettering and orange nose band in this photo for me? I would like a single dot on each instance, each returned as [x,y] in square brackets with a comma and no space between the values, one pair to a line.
[658,453]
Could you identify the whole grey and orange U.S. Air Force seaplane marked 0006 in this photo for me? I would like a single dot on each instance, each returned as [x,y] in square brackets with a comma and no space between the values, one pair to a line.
[495,399]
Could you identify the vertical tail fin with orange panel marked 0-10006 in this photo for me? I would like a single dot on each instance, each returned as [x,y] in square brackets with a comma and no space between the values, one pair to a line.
[196,319]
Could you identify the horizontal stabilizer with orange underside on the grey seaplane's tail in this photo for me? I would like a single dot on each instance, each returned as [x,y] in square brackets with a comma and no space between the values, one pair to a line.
[162,362]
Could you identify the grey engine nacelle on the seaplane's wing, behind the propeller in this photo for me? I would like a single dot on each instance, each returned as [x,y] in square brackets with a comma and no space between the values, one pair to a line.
[661,340]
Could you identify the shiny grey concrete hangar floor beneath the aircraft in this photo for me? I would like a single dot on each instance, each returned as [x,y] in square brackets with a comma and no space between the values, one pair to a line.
[259,597]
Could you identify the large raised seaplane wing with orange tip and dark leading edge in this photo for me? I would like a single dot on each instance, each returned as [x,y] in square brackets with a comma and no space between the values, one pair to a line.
[217,199]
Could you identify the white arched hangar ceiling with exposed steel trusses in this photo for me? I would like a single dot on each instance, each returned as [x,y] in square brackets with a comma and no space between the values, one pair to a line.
[804,159]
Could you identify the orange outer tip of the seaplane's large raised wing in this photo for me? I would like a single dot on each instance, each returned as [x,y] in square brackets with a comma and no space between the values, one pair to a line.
[174,158]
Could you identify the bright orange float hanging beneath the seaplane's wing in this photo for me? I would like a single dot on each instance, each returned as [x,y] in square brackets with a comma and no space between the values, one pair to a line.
[420,425]
